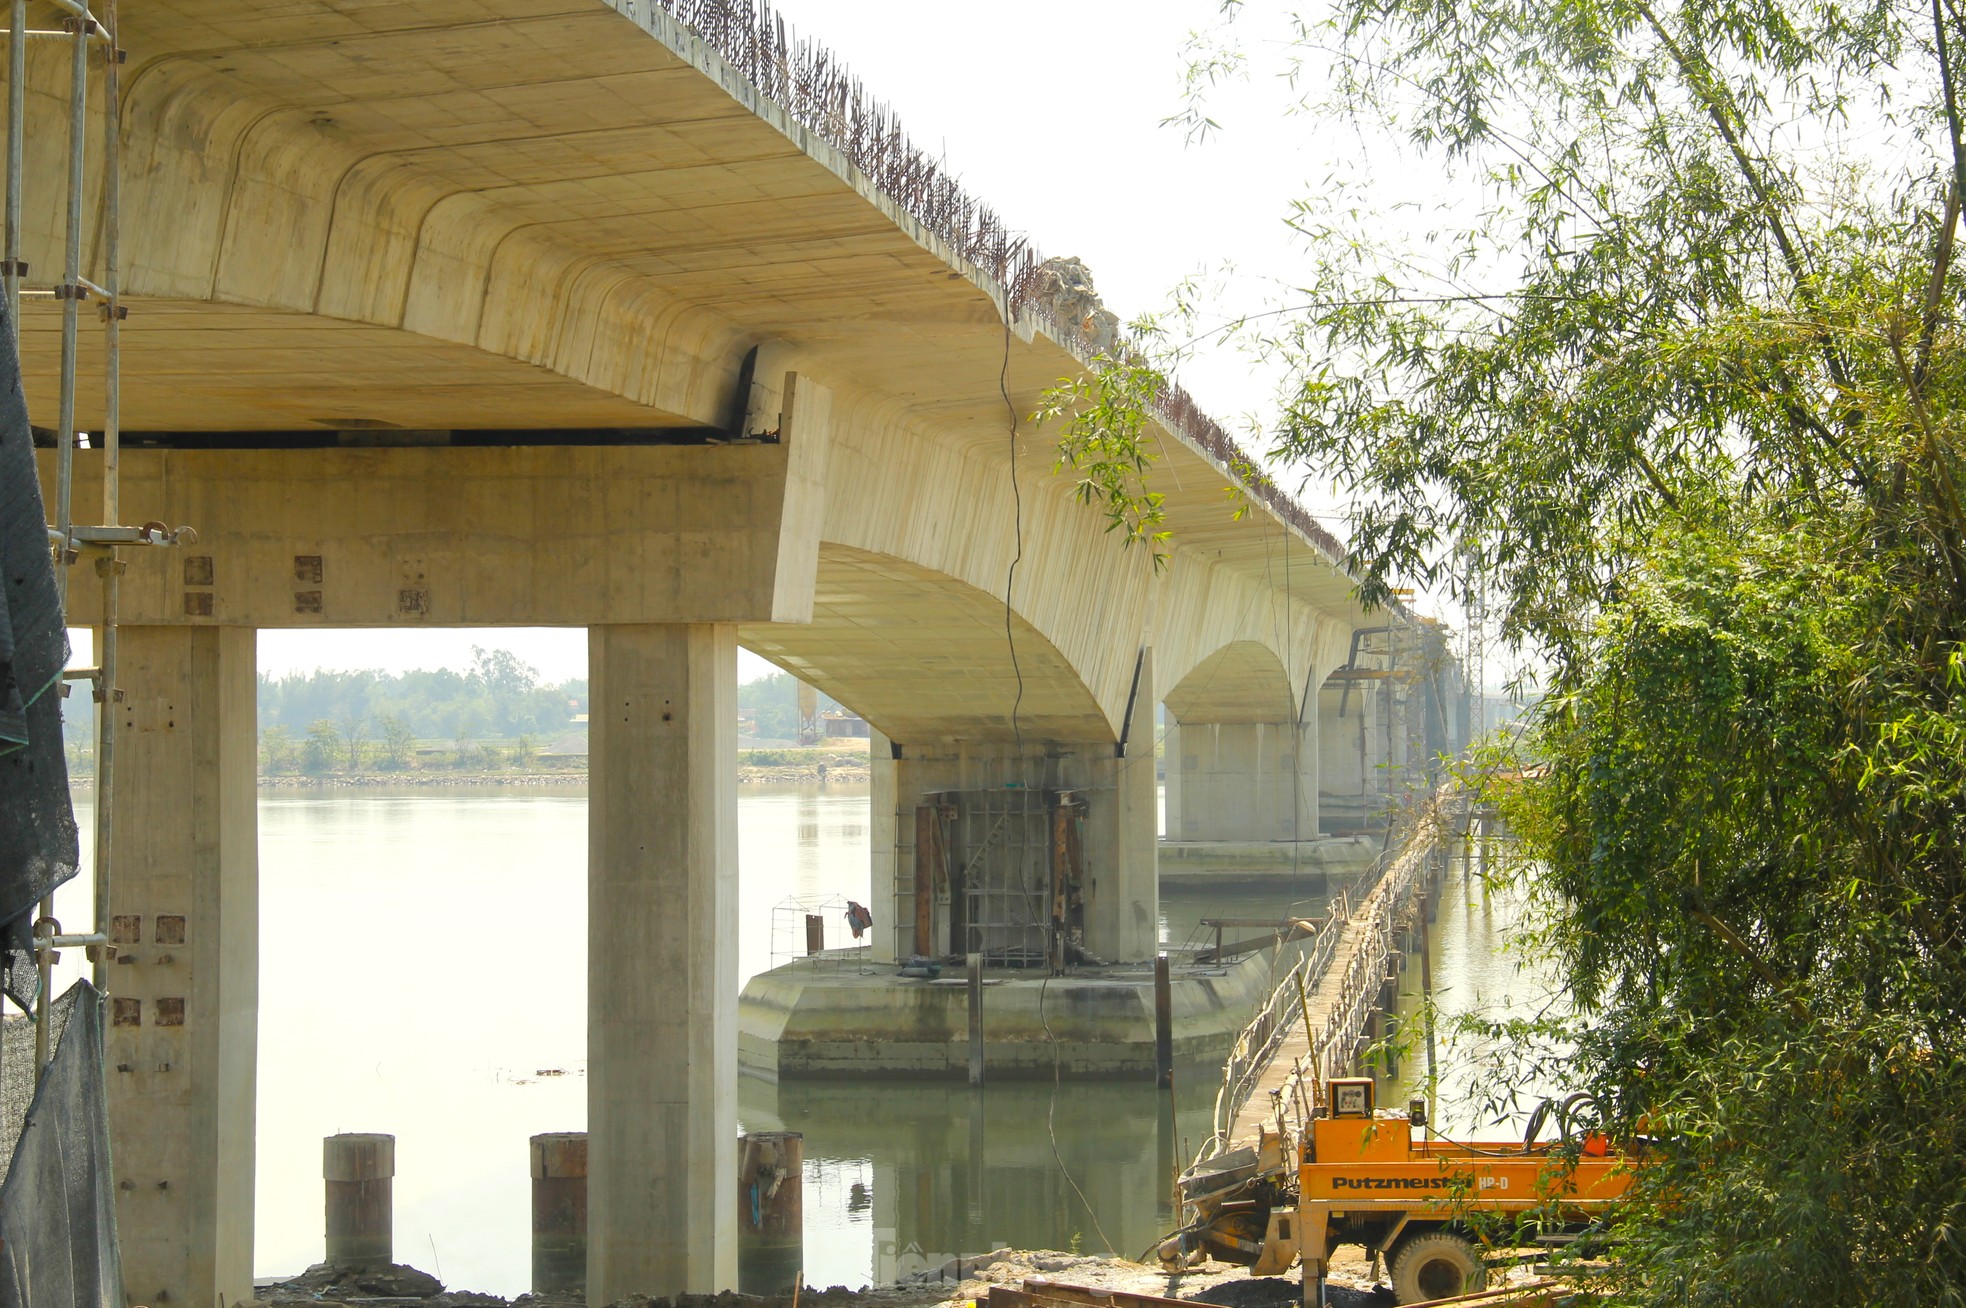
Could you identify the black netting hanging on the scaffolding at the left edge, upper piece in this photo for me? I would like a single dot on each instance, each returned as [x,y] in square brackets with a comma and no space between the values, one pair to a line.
[38,843]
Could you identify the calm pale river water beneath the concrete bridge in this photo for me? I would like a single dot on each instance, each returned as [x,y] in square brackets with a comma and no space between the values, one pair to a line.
[424,973]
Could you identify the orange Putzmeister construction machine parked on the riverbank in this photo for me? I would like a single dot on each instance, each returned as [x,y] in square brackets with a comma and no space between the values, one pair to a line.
[1361,1177]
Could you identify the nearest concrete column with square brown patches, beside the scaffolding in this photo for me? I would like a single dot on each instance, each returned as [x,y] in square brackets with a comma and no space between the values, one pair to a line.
[186,994]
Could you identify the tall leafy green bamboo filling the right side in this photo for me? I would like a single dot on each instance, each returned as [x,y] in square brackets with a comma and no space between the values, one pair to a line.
[1686,398]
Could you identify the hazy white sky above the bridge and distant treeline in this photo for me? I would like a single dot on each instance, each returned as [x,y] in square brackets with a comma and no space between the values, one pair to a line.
[1049,111]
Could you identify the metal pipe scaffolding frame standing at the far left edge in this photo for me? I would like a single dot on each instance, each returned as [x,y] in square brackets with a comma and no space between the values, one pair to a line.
[72,544]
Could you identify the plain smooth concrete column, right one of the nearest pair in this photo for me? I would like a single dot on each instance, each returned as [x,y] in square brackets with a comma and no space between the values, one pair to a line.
[662,961]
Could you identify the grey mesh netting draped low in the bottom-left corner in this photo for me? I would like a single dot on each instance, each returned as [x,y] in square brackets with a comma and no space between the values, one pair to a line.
[58,1203]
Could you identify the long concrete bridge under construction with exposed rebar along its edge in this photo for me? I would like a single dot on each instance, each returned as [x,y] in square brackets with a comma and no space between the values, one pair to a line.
[573,314]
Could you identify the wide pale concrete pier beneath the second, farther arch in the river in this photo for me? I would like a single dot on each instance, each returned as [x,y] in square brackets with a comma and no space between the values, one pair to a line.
[1242,780]
